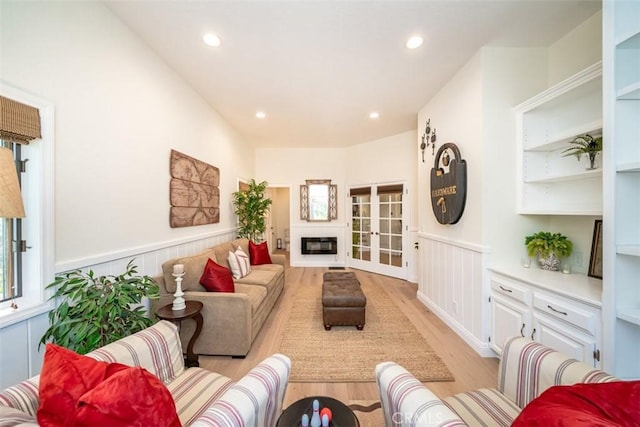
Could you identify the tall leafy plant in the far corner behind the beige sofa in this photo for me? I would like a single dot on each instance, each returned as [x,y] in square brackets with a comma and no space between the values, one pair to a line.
[252,206]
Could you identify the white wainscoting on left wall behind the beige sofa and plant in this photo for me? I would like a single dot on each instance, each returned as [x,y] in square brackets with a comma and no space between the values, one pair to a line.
[19,355]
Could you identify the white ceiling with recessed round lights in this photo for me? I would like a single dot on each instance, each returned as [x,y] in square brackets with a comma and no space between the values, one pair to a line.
[318,68]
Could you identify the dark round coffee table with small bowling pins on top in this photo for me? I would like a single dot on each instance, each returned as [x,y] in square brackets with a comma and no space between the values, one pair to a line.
[343,416]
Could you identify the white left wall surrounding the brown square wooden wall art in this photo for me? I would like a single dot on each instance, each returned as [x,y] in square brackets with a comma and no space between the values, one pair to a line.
[119,110]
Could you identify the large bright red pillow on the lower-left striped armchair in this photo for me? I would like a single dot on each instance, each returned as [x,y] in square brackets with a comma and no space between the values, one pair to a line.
[81,391]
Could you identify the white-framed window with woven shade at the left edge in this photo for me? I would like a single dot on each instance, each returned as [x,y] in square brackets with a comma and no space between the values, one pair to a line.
[35,266]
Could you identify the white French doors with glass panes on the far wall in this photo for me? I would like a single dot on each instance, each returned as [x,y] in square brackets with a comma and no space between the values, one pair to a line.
[378,229]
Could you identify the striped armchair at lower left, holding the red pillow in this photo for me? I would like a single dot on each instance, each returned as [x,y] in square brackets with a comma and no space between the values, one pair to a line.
[202,398]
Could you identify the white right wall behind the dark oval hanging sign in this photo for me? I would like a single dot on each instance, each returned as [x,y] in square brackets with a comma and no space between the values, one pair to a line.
[474,110]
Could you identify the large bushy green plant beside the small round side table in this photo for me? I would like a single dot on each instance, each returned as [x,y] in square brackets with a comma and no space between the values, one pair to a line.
[97,310]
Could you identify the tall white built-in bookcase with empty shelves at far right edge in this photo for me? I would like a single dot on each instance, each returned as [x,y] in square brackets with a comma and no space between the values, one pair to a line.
[621,218]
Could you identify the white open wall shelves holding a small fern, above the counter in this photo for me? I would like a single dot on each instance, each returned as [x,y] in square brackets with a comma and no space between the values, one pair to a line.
[549,182]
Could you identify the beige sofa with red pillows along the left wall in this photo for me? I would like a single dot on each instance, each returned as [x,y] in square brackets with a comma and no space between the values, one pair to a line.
[231,320]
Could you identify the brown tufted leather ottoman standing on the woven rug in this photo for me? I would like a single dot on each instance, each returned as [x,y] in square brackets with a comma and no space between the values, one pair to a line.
[343,303]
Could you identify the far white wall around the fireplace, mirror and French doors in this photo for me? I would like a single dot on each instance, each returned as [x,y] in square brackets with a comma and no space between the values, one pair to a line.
[390,159]
